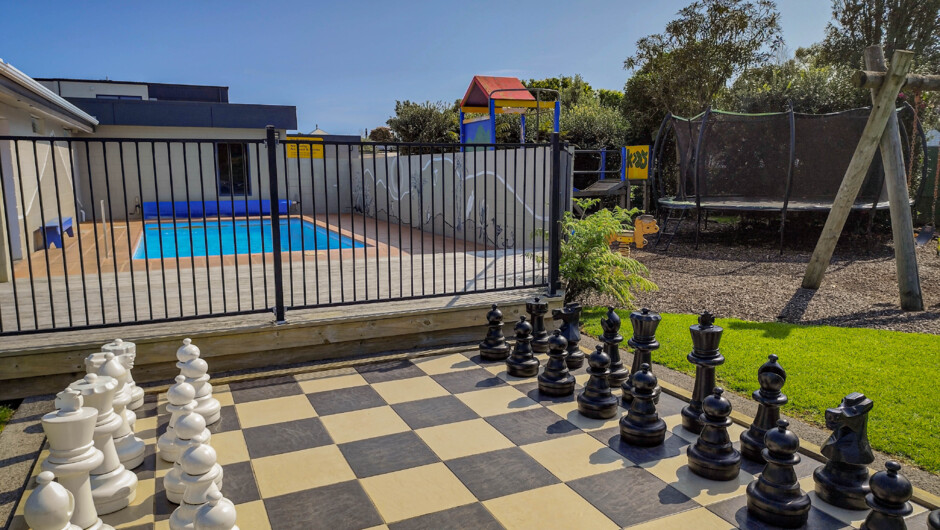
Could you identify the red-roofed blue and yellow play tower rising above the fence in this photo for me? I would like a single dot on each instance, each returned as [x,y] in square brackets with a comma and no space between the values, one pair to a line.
[513,98]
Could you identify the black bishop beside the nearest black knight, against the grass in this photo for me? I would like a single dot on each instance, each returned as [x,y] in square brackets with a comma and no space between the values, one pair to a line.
[771,377]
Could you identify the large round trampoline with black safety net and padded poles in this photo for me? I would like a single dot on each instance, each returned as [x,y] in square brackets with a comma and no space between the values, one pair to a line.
[773,162]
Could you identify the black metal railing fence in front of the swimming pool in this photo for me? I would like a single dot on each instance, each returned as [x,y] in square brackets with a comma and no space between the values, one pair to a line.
[101,232]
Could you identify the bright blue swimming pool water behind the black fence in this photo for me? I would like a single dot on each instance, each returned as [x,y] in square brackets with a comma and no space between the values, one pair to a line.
[223,238]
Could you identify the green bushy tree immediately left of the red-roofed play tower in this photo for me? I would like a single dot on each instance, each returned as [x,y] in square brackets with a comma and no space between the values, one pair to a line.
[427,122]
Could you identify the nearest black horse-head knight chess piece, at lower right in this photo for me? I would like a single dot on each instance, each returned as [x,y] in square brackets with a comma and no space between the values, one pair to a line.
[843,480]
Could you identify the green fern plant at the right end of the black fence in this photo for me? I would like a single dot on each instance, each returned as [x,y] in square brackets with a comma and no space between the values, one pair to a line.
[588,266]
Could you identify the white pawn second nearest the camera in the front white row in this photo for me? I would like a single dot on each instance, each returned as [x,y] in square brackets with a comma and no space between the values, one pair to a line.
[200,471]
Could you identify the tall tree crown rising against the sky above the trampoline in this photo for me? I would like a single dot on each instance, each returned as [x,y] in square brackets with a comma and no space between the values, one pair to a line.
[711,42]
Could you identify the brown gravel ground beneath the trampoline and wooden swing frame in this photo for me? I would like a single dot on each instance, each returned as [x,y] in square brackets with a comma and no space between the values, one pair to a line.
[733,277]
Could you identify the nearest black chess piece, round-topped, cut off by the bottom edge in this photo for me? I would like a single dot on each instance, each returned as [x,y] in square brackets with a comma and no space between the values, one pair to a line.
[889,499]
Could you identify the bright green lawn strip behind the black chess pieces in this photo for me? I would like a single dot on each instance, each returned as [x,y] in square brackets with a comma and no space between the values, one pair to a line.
[900,372]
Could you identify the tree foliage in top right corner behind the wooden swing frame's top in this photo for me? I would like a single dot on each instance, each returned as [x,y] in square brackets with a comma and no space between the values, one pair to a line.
[895,24]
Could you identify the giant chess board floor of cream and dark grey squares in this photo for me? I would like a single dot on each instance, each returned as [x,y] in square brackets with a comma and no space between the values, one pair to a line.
[446,441]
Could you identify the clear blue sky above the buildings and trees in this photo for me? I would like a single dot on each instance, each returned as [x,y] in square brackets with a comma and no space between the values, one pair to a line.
[344,63]
